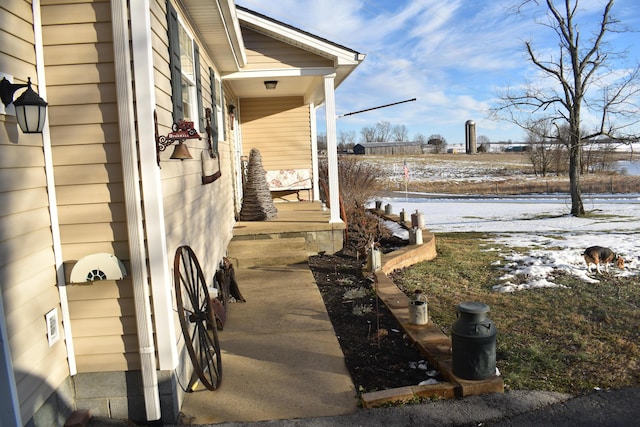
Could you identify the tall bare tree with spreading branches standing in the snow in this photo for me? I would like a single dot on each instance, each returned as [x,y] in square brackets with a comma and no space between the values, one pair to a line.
[581,65]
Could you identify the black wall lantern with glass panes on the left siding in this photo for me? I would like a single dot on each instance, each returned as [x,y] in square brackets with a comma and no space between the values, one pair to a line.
[31,110]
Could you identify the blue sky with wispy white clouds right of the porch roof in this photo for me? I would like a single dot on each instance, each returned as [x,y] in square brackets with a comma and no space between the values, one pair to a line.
[453,56]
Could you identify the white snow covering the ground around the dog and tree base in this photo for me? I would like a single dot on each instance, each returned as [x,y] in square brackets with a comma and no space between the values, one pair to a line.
[543,236]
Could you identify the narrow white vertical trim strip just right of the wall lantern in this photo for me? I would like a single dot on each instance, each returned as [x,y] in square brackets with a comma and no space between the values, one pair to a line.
[51,194]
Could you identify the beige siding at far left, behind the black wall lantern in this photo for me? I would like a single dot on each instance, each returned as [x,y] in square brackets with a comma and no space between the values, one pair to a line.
[27,264]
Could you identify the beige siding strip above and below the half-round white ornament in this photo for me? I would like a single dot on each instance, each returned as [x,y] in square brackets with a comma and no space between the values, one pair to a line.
[88,173]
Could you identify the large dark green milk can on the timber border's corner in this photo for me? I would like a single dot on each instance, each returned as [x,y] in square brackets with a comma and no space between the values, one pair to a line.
[473,342]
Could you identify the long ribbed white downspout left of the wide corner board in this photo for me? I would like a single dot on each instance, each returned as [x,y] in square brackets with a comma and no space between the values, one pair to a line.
[133,205]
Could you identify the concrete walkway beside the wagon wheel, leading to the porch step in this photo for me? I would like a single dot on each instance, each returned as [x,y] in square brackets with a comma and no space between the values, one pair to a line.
[280,356]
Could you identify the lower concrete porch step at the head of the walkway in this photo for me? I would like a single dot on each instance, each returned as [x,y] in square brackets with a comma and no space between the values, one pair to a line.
[270,251]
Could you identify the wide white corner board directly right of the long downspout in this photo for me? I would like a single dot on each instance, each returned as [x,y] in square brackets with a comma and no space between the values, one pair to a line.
[145,101]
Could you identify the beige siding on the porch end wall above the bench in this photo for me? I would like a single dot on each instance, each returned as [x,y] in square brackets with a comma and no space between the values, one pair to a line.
[280,128]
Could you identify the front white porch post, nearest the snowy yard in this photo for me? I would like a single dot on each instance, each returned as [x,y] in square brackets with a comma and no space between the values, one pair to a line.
[332,148]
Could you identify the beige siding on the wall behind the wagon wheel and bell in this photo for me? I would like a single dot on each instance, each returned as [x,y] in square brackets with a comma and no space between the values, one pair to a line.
[201,216]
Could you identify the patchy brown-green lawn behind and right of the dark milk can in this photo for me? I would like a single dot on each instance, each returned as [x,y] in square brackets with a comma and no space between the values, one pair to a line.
[568,340]
